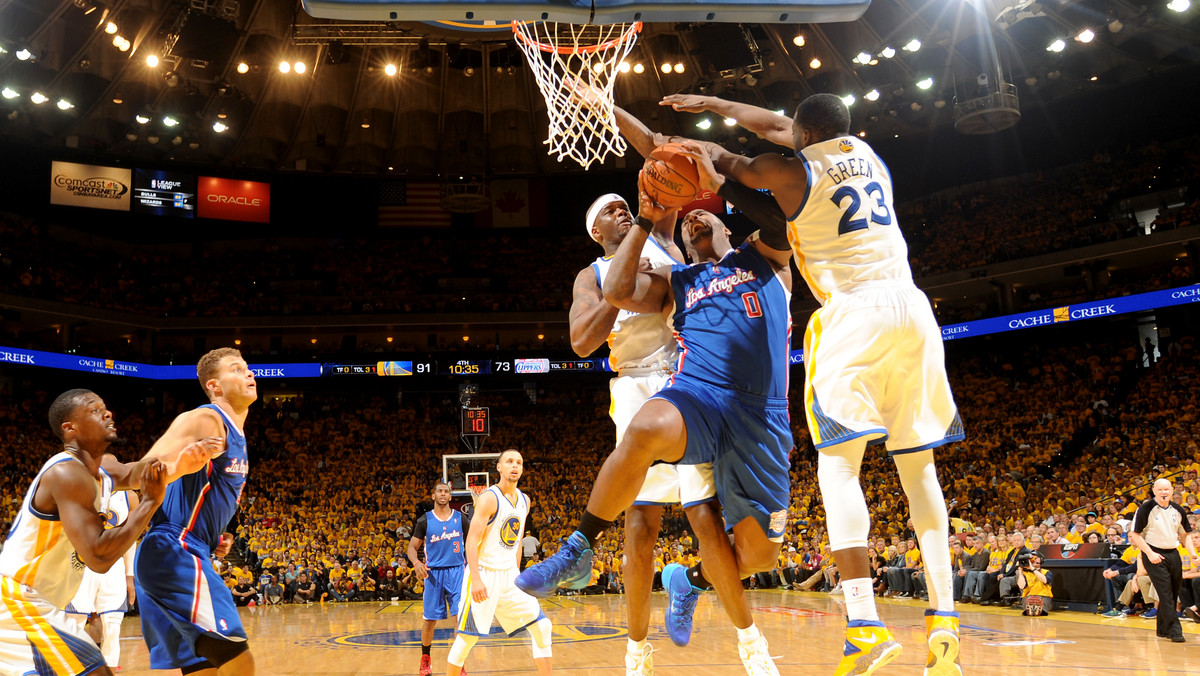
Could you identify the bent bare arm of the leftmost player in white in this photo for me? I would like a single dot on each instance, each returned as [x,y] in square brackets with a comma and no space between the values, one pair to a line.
[73,490]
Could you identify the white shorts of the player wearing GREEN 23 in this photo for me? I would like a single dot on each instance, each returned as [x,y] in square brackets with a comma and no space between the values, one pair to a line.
[875,368]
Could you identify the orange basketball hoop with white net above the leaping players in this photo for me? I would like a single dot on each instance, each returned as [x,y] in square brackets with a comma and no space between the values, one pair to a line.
[577,68]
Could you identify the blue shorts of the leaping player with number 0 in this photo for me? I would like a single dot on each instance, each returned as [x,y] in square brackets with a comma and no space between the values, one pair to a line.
[748,440]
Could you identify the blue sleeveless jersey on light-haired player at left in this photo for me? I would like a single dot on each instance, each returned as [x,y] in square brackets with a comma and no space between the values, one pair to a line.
[203,504]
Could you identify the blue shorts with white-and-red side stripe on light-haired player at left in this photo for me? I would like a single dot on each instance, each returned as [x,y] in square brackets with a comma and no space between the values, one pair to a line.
[182,599]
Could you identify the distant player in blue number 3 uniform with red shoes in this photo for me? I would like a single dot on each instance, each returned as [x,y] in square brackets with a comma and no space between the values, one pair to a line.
[441,531]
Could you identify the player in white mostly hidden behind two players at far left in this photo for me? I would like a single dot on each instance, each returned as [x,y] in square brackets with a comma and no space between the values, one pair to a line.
[100,605]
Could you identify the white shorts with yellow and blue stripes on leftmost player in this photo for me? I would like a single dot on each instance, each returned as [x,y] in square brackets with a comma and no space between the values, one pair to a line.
[38,638]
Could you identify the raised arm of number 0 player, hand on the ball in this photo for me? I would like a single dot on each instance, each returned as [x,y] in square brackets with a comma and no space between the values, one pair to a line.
[628,288]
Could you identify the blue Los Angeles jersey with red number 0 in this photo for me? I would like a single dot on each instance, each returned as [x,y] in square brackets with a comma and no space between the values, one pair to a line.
[734,324]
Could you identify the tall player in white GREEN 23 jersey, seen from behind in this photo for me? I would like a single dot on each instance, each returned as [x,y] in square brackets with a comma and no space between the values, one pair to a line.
[875,367]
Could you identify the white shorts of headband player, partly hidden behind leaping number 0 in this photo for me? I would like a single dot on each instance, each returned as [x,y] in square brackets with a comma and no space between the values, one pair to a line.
[664,484]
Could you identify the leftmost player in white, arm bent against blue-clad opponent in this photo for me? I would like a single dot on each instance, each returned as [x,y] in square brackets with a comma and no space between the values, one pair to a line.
[56,535]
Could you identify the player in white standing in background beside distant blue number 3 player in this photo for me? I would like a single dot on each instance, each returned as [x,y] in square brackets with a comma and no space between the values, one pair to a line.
[494,560]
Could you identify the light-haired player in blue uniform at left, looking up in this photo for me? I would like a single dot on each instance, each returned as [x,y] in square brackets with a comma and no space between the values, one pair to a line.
[189,618]
